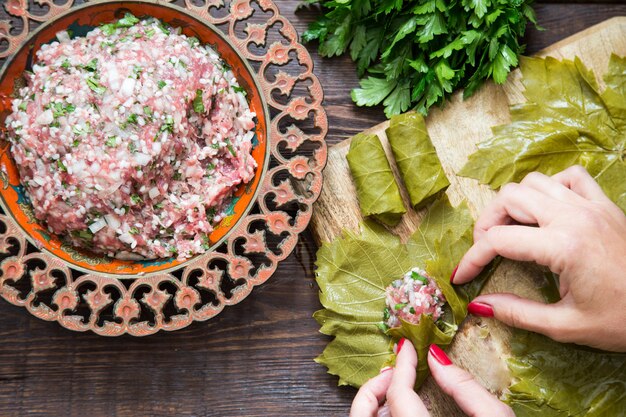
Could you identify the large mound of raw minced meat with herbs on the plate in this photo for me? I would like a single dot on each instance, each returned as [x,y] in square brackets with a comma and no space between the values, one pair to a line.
[130,141]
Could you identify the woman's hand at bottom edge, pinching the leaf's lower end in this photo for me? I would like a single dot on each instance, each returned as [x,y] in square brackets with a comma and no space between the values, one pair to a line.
[396,386]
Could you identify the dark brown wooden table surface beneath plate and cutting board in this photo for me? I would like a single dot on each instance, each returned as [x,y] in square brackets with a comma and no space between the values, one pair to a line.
[254,359]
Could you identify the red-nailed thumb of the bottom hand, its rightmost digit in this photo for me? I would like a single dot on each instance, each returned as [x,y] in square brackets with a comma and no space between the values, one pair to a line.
[470,396]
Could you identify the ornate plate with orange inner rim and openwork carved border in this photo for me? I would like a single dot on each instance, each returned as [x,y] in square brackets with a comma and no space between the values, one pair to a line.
[83,291]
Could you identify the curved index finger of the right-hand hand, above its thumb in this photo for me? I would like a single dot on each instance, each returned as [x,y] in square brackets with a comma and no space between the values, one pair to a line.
[520,243]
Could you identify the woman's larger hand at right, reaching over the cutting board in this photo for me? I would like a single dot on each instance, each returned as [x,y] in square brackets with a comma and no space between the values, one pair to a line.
[564,222]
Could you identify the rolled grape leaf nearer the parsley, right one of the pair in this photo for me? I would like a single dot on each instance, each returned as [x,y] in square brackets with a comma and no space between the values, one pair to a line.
[417,159]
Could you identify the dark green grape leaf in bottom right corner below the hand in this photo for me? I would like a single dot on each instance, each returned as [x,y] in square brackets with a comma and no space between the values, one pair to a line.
[555,379]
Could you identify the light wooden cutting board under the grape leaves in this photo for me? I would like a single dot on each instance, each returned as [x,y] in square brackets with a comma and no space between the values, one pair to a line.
[481,346]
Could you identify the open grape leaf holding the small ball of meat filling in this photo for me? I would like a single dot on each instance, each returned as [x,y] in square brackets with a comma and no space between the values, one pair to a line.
[353,273]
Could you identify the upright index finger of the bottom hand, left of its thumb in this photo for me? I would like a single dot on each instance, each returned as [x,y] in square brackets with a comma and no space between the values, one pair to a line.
[401,398]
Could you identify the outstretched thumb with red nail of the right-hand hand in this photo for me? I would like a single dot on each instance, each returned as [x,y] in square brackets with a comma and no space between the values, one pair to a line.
[553,320]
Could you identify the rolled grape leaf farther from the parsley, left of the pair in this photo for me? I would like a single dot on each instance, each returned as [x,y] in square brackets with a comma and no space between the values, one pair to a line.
[376,187]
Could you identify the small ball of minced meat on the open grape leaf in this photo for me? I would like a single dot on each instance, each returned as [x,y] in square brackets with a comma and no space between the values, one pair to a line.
[411,297]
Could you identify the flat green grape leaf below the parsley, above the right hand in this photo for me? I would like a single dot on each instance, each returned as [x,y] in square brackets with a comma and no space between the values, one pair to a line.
[566,120]
